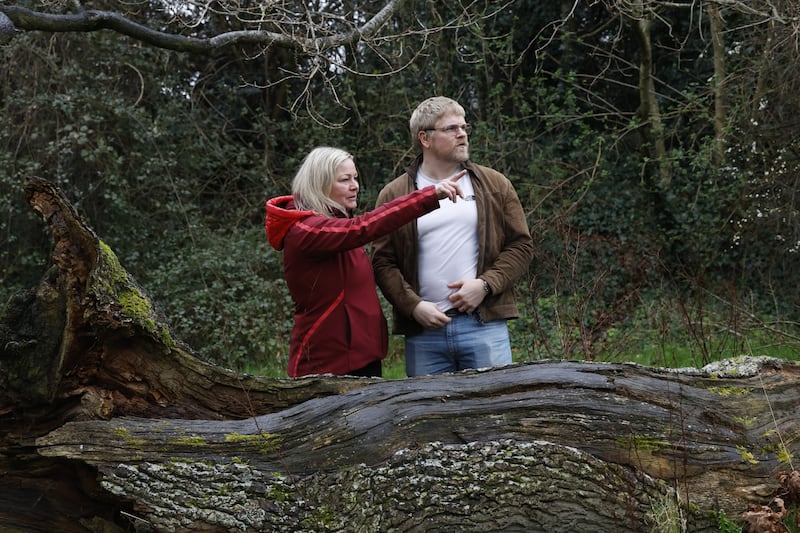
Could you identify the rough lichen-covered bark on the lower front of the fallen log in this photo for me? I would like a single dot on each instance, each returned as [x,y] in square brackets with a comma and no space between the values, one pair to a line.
[500,485]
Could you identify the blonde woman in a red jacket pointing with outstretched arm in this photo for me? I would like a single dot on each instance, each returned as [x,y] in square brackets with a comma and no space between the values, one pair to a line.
[339,327]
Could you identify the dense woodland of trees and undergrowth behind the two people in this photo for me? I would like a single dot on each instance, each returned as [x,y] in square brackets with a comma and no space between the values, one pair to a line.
[654,146]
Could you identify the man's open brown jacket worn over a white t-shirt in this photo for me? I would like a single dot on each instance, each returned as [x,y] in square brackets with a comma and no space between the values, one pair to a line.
[505,248]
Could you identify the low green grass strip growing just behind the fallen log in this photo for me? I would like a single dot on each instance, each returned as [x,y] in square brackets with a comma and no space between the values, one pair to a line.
[661,335]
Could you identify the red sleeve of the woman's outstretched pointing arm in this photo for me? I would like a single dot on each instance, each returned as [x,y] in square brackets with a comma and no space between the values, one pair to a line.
[320,234]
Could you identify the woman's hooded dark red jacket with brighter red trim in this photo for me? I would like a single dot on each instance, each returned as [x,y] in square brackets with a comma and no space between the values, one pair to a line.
[338,322]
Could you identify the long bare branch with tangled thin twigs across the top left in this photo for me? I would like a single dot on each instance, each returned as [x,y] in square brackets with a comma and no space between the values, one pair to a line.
[322,39]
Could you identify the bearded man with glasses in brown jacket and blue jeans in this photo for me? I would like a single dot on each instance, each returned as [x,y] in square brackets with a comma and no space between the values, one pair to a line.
[450,274]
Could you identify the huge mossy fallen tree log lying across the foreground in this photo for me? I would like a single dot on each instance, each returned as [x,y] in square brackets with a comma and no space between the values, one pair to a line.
[108,422]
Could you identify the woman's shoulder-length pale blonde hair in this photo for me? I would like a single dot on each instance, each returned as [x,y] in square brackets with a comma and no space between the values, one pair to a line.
[312,185]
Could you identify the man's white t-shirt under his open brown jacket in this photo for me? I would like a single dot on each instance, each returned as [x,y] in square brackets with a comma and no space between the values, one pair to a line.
[448,243]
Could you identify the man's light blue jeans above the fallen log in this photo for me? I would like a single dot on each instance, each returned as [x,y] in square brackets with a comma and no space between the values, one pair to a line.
[463,343]
